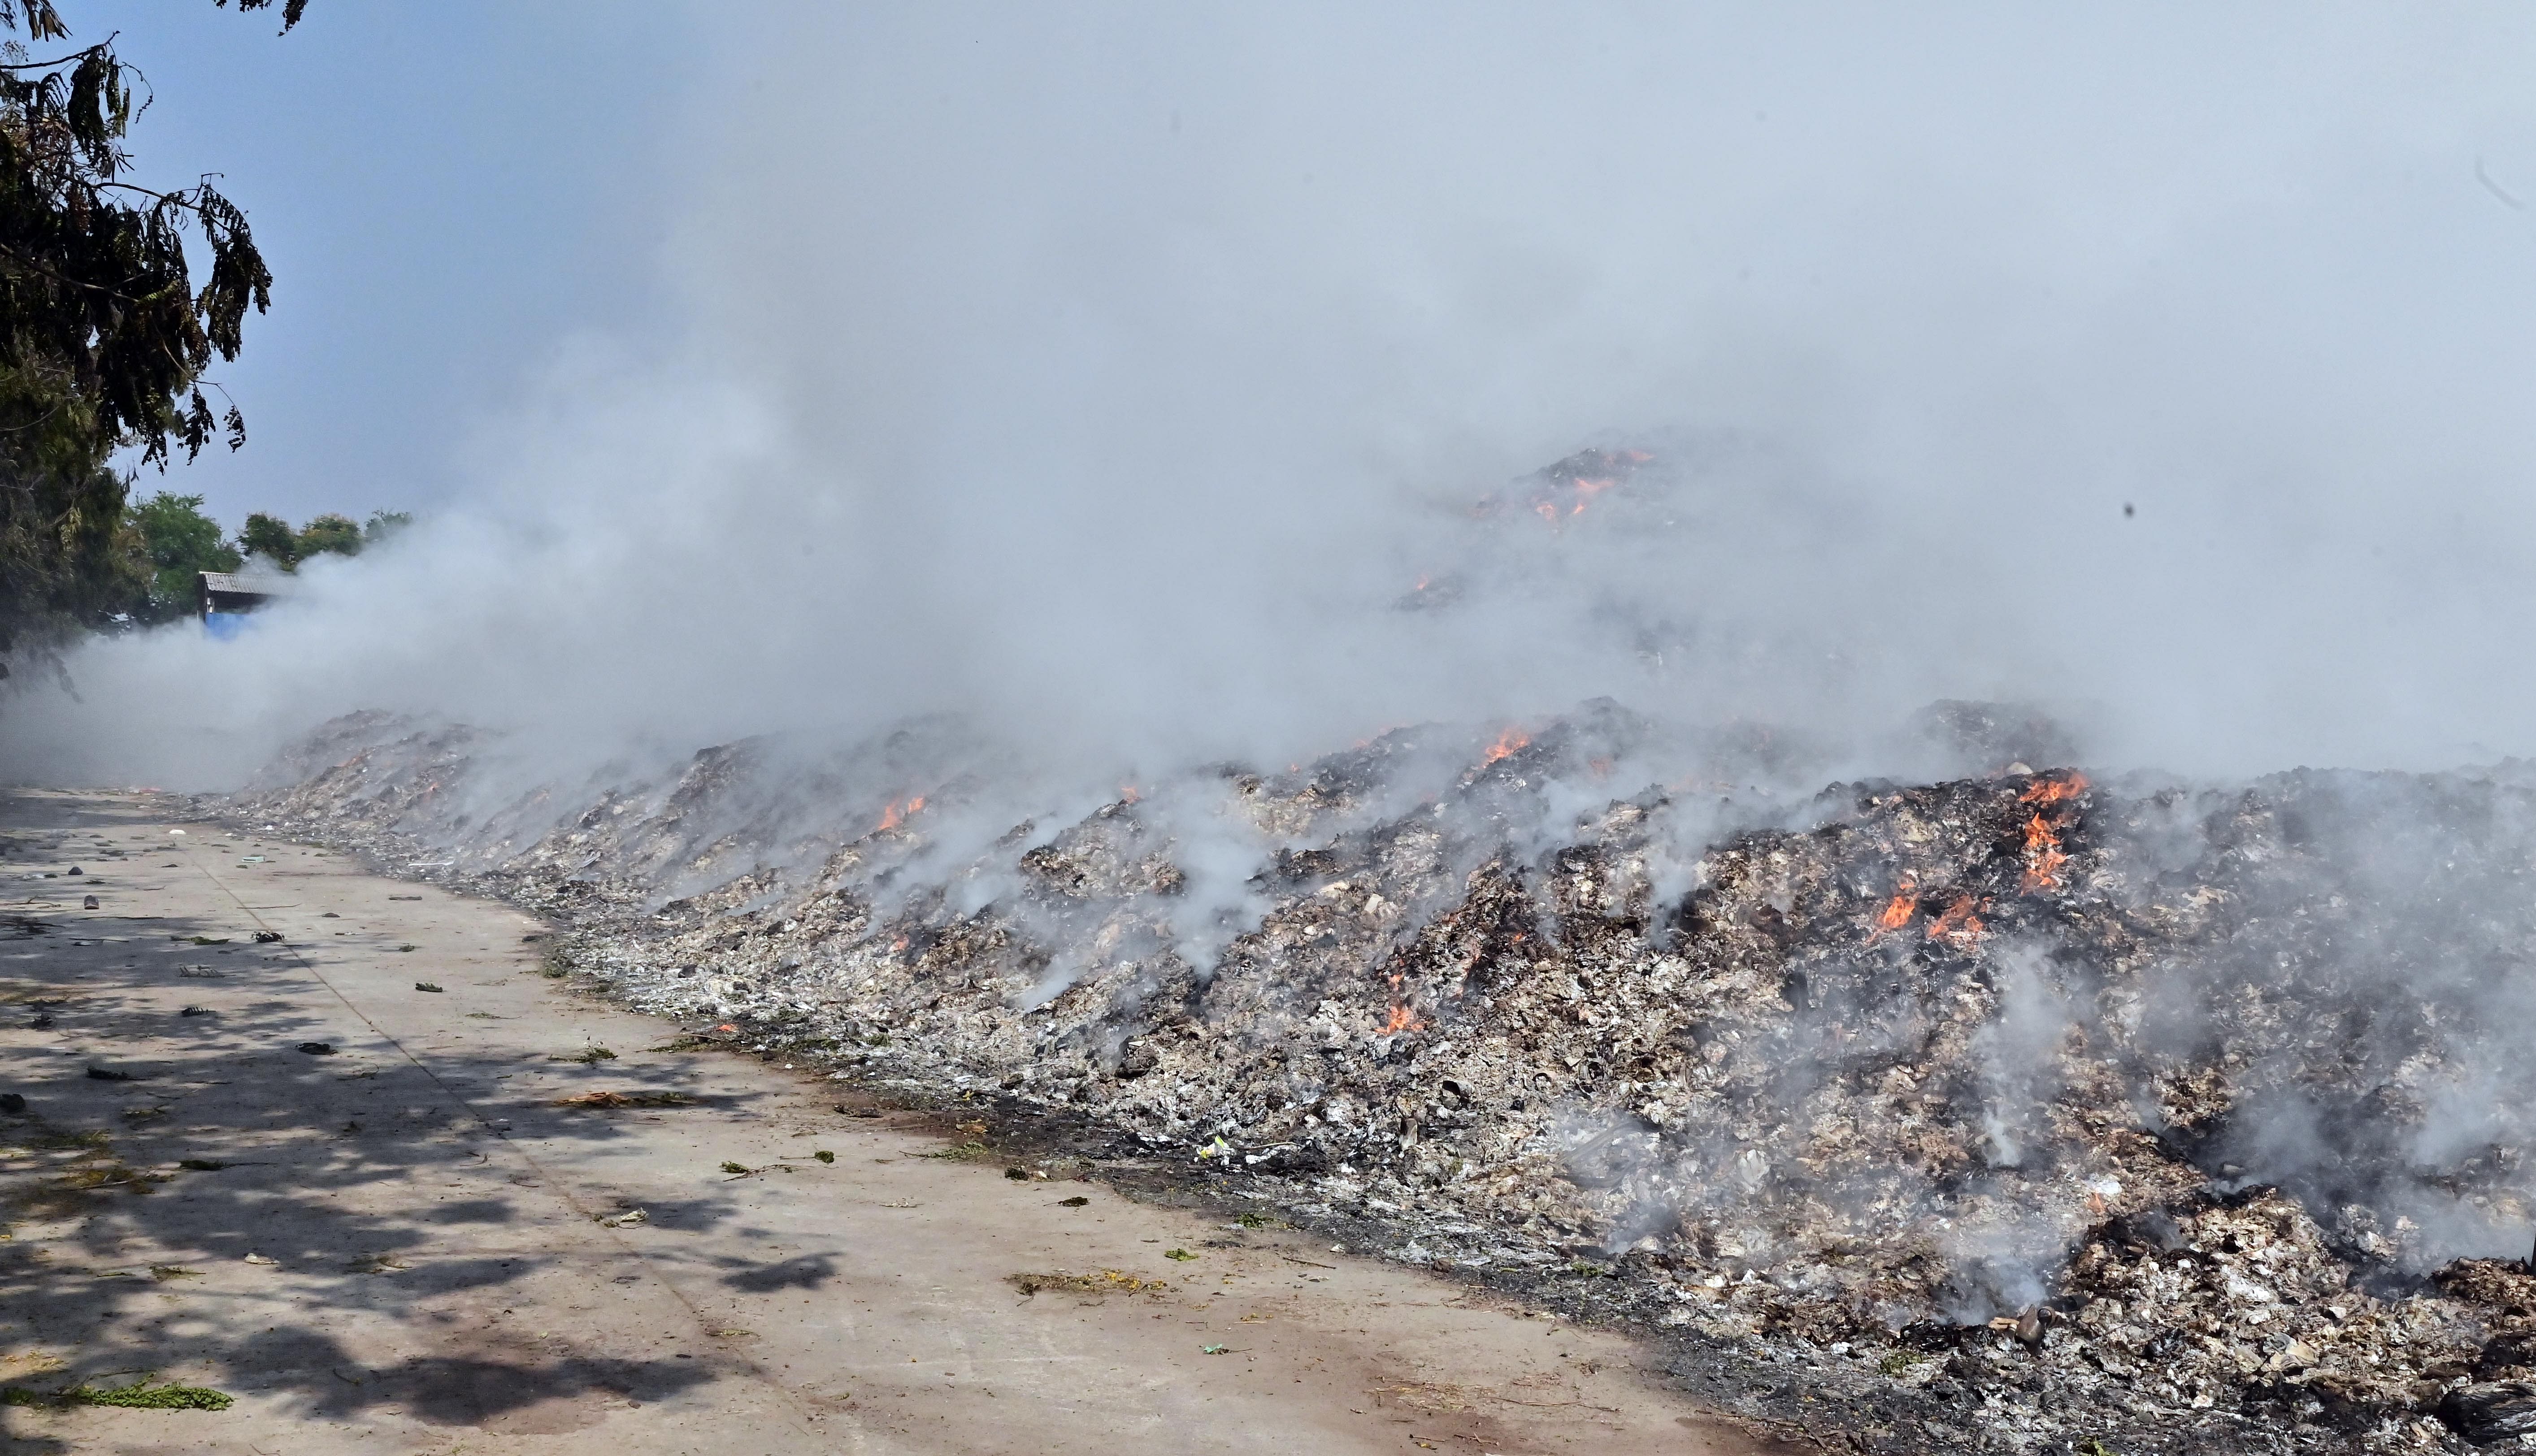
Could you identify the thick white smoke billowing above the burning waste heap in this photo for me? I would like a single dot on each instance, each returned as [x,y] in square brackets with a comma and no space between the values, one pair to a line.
[1107,377]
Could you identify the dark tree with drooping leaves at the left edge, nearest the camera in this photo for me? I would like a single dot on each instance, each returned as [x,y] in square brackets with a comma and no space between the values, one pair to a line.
[105,331]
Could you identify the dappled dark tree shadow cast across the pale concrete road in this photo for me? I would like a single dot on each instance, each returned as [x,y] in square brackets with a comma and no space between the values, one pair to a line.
[364,1181]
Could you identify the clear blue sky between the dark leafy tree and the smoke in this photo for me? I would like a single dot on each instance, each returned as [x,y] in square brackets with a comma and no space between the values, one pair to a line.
[443,192]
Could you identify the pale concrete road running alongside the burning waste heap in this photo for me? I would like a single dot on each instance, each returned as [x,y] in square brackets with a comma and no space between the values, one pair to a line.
[374,1214]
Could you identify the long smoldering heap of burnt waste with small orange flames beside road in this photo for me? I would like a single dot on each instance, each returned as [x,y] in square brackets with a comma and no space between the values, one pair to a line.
[2007,1112]
